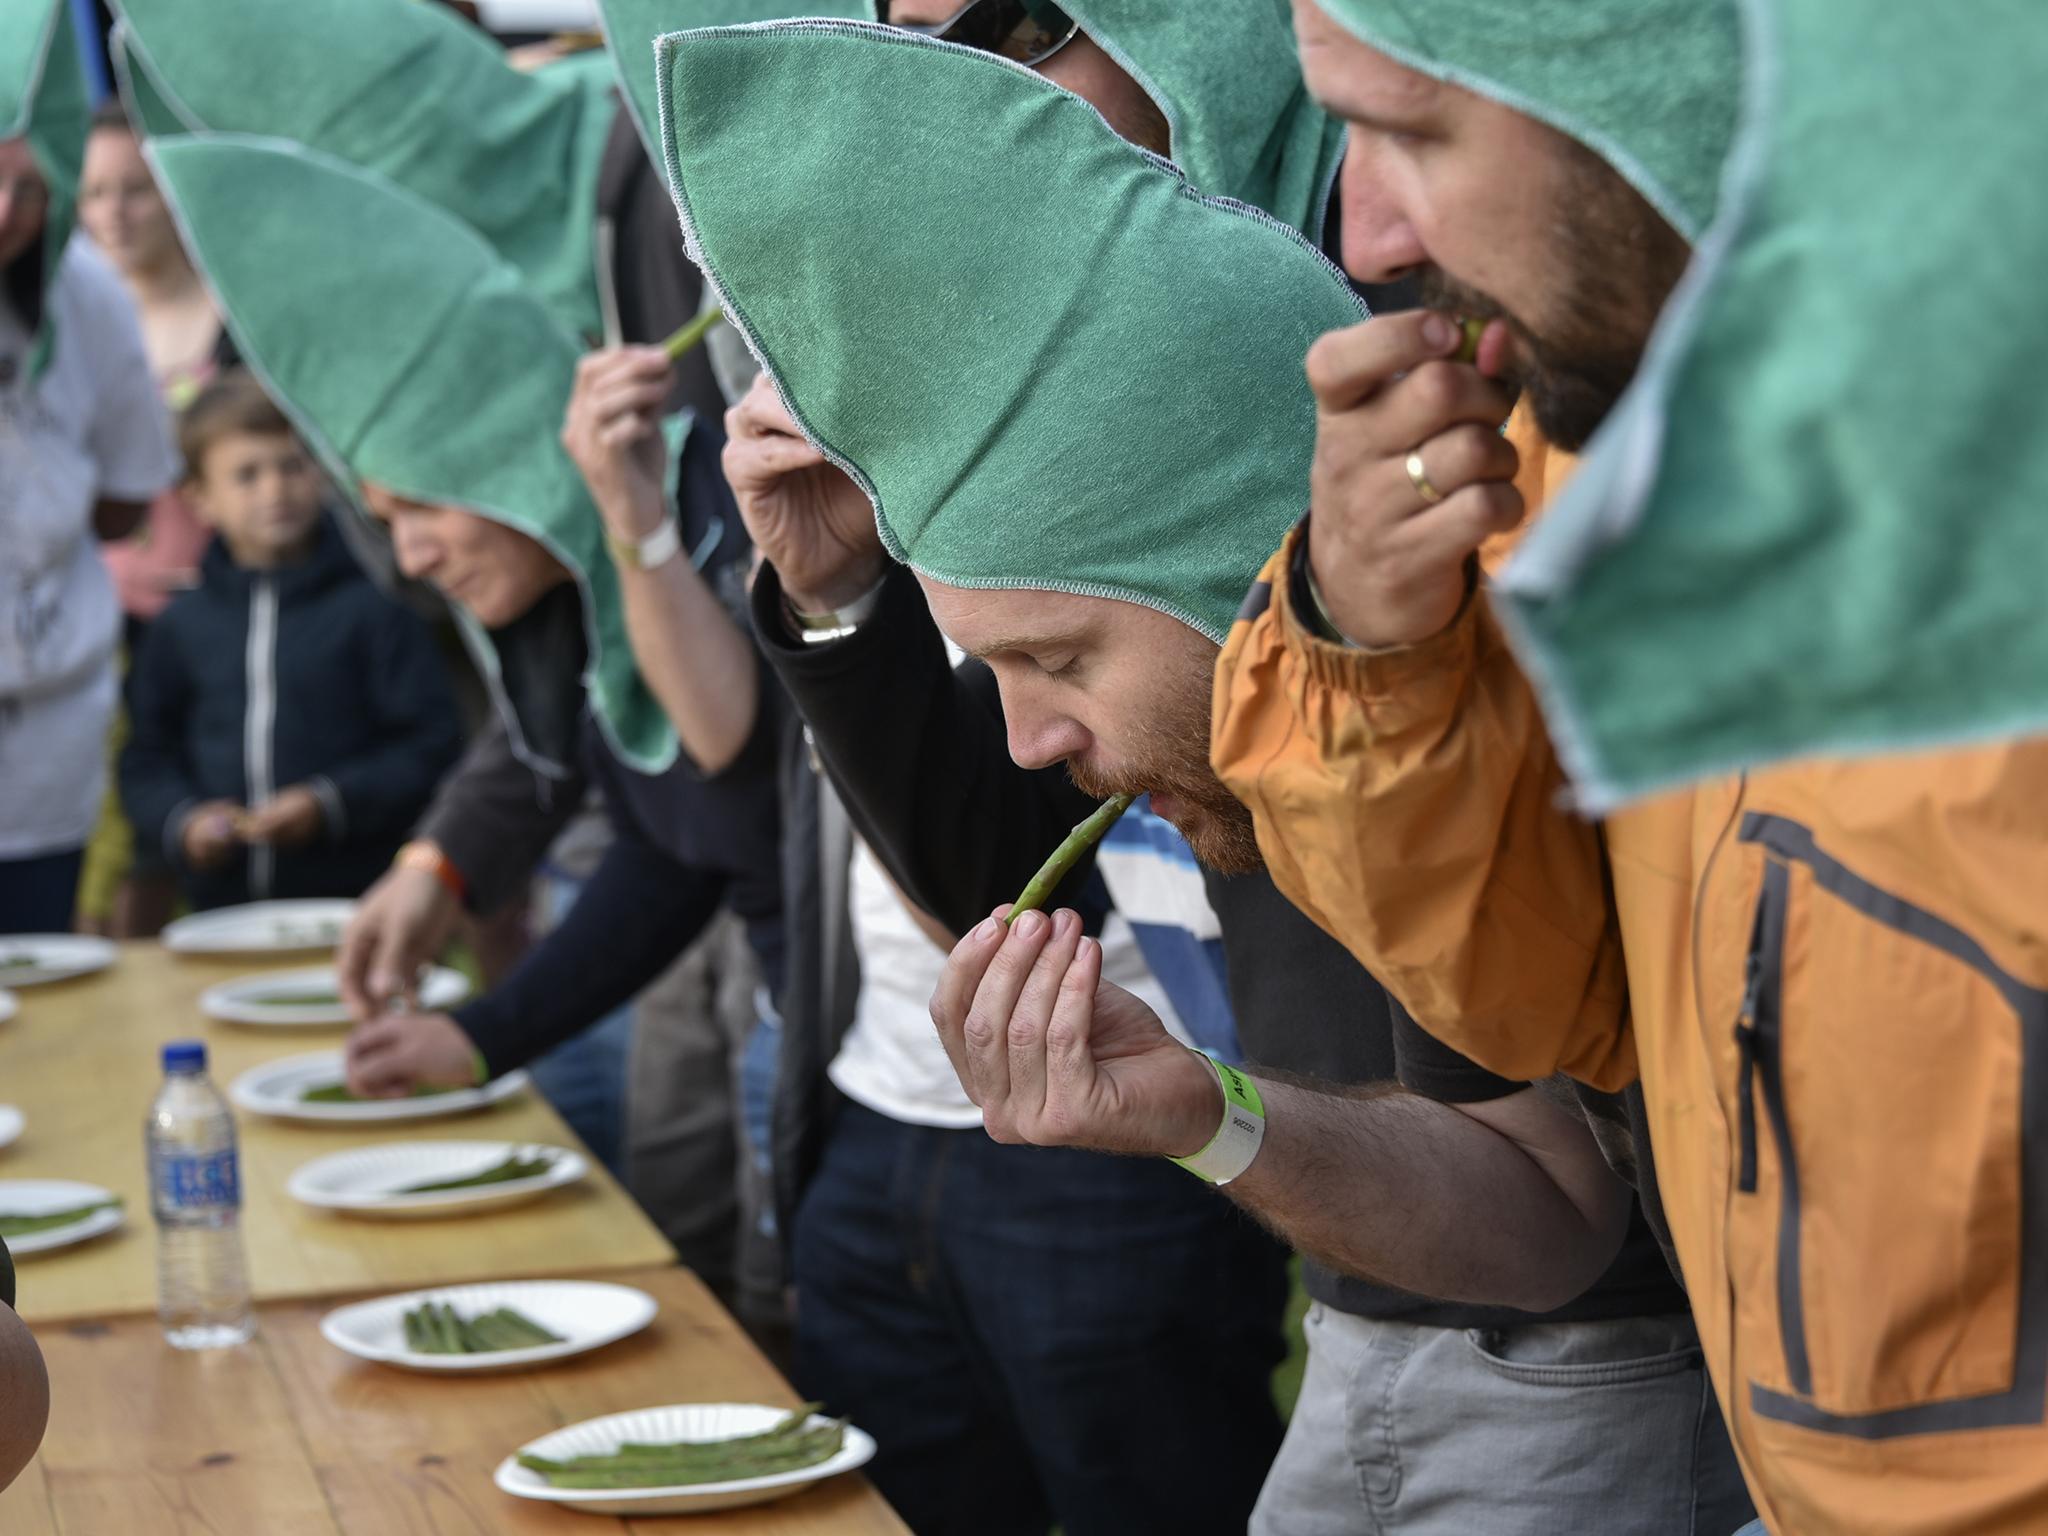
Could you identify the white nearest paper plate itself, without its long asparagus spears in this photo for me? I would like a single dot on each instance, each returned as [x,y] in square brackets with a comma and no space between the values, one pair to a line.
[675,1422]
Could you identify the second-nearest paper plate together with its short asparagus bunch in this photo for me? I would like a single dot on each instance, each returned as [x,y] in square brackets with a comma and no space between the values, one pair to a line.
[488,1328]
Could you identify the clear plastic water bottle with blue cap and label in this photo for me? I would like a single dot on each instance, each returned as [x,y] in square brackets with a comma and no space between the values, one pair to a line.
[196,1191]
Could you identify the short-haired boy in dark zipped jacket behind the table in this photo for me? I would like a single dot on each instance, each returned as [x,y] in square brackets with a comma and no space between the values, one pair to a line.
[290,722]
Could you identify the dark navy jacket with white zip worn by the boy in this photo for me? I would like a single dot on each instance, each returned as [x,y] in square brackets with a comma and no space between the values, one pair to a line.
[259,681]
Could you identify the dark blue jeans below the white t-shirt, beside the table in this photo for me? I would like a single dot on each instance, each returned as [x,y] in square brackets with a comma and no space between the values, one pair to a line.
[1039,1334]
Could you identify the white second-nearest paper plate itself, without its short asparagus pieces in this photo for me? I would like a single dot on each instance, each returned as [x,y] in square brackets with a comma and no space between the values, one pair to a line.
[587,1314]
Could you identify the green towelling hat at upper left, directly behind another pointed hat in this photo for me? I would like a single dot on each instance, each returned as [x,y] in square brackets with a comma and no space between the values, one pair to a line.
[404,89]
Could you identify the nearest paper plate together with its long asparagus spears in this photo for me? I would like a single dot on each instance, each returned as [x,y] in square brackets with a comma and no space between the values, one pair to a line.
[685,1459]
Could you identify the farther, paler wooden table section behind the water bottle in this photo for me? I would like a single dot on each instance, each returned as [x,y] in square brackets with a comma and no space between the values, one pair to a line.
[81,1062]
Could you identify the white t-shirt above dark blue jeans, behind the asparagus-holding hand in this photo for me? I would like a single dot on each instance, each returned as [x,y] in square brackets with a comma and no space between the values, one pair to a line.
[892,1060]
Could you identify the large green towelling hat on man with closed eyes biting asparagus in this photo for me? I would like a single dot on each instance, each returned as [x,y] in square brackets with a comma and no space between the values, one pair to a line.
[1039,351]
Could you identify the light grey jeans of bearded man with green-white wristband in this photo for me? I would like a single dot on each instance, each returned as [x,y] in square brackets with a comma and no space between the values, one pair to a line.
[1535,1431]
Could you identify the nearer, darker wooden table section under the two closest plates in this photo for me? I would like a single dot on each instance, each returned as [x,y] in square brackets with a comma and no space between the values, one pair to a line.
[290,1437]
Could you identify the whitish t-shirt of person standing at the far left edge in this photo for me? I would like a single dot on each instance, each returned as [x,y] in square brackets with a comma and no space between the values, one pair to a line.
[91,427]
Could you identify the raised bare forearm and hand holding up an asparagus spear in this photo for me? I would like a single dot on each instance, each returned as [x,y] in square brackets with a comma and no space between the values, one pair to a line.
[695,658]
